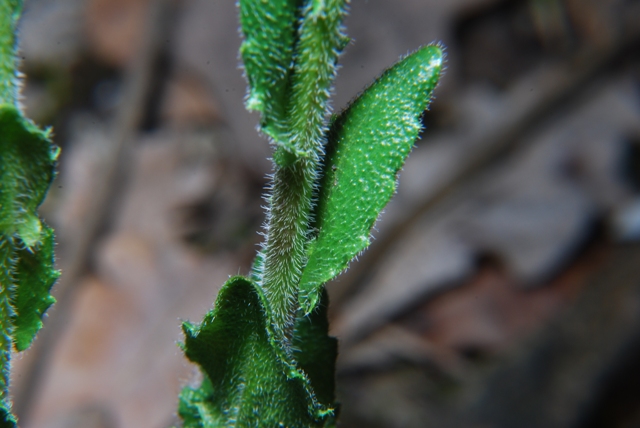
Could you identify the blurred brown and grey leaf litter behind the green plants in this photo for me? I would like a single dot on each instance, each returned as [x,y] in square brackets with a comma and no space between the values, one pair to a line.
[502,288]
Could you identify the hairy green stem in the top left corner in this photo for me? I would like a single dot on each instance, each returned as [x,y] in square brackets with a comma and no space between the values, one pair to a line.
[9,12]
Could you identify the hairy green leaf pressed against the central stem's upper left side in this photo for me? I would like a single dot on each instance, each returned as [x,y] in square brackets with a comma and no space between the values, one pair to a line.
[269,29]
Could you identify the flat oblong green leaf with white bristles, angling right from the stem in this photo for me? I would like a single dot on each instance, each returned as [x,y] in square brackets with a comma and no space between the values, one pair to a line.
[367,145]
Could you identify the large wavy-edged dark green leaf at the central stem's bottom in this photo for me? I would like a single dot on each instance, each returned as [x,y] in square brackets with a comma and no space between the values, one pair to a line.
[250,381]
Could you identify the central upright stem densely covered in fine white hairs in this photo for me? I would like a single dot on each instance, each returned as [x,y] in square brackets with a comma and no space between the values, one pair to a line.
[284,255]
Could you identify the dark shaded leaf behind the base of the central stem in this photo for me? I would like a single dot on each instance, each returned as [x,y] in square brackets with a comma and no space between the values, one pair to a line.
[315,351]
